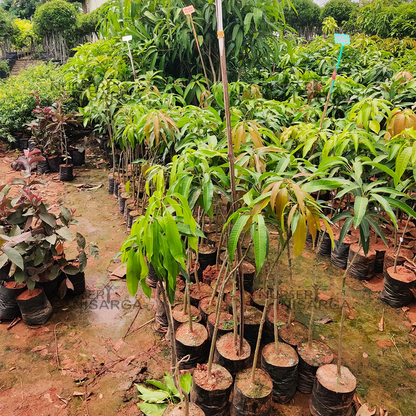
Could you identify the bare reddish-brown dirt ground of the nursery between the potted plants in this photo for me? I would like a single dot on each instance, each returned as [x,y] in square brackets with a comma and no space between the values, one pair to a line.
[80,353]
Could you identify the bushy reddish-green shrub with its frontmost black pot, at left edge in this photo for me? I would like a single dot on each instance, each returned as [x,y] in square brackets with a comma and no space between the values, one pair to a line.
[32,243]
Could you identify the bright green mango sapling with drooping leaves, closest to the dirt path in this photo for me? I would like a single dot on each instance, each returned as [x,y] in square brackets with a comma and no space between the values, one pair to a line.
[161,238]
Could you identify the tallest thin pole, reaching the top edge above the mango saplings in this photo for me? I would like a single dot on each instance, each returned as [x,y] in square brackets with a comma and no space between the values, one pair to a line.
[223,61]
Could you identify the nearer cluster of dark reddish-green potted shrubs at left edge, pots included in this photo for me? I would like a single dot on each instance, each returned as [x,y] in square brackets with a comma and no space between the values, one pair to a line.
[33,265]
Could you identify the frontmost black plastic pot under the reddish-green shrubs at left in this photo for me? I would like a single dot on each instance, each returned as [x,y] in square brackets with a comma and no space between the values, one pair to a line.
[34,307]
